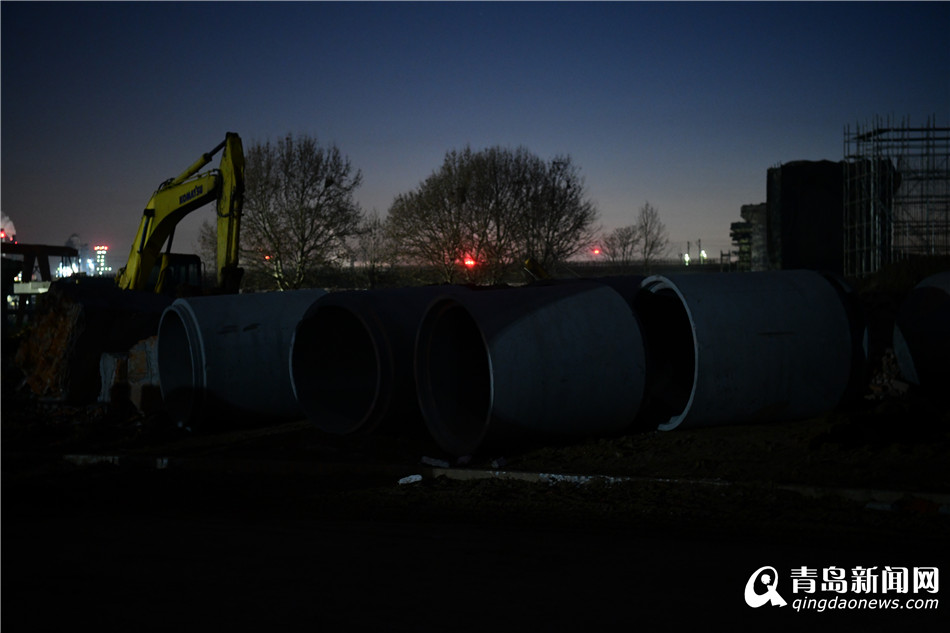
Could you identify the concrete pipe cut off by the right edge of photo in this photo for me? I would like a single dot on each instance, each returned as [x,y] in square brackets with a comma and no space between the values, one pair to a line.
[922,335]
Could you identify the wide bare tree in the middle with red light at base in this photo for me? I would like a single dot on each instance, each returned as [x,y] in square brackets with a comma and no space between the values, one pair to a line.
[482,212]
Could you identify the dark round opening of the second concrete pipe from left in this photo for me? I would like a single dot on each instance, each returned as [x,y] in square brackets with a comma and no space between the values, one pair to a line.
[336,369]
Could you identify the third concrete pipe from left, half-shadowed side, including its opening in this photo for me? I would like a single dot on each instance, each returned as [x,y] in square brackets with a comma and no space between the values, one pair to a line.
[542,361]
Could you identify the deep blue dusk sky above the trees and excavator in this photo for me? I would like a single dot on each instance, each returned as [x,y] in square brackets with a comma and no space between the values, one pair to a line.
[684,105]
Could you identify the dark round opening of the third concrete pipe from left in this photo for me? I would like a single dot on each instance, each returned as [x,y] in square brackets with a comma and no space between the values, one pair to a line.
[455,392]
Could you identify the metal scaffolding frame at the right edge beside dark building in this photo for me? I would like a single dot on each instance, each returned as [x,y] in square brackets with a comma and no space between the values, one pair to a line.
[896,193]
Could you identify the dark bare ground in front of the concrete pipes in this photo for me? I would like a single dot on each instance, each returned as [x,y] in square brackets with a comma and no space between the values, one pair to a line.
[285,528]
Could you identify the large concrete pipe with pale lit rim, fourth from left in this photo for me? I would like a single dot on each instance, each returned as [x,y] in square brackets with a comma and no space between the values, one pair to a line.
[736,348]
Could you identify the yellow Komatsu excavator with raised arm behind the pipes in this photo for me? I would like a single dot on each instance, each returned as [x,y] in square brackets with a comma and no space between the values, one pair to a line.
[148,268]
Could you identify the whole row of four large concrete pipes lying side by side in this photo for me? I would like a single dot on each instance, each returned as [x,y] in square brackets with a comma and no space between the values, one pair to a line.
[480,368]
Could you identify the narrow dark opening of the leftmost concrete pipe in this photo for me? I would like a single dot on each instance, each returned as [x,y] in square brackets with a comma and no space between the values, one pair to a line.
[181,380]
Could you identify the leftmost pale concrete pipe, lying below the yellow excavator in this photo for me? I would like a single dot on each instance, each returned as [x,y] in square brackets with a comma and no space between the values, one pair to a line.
[223,360]
